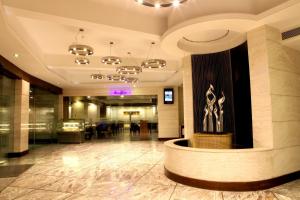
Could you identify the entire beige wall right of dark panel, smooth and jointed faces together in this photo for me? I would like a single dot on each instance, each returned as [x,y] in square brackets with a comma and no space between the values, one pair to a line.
[275,91]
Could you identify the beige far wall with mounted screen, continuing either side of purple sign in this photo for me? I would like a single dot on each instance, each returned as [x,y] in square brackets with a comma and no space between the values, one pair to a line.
[168,117]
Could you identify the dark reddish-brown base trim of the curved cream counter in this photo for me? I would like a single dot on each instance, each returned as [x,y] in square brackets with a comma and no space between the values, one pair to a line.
[233,186]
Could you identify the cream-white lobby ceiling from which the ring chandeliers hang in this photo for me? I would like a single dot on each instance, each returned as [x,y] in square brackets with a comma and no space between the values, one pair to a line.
[41,31]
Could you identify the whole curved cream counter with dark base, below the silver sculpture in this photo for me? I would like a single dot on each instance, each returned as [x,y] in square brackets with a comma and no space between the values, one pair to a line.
[222,169]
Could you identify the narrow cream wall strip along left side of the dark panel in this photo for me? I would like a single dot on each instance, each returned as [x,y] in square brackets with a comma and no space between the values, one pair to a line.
[188,97]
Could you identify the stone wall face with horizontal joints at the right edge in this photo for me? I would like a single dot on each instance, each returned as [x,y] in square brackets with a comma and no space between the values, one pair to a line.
[284,65]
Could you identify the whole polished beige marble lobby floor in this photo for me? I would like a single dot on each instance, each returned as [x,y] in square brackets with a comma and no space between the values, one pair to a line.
[112,169]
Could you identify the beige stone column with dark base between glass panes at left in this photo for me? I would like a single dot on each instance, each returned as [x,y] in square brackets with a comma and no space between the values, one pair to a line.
[21,118]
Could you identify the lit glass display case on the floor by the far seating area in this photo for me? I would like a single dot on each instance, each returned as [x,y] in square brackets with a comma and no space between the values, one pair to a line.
[71,131]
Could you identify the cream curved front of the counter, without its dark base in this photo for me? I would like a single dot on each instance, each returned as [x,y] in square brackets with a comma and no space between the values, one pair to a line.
[223,165]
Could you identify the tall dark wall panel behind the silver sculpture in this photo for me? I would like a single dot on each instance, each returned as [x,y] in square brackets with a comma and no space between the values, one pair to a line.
[227,71]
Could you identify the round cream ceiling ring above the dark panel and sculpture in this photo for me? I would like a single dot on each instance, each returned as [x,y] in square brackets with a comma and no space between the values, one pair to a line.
[235,24]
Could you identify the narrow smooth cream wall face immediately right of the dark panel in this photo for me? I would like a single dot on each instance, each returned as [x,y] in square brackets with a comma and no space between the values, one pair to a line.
[260,88]
